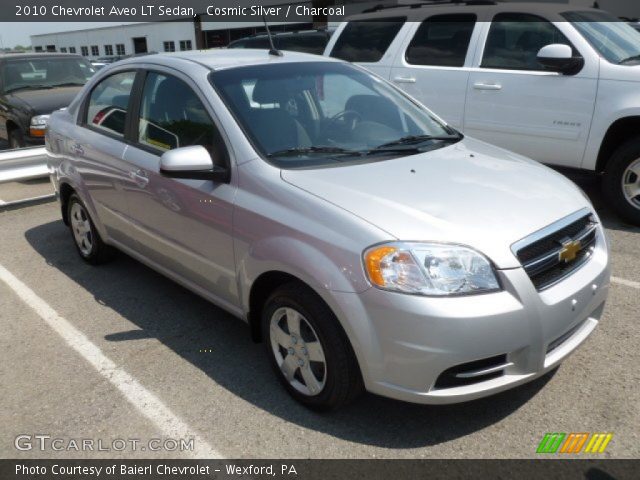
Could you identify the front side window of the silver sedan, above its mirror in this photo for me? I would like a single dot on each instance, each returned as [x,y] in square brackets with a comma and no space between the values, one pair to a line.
[172,116]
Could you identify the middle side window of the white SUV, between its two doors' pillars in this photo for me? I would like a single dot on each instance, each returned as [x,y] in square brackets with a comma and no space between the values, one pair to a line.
[442,41]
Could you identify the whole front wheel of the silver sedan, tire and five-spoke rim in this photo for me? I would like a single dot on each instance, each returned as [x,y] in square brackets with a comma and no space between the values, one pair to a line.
[308,349]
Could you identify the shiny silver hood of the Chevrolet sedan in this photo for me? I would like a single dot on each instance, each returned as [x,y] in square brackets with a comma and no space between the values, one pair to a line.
[469,193]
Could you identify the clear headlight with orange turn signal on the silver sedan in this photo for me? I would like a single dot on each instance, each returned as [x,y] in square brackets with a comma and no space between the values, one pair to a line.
[432,269]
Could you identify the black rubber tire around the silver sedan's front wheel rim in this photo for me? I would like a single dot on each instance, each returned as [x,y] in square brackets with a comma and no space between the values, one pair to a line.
[343,381]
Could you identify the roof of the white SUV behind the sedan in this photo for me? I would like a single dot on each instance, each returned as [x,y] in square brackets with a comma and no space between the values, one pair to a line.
[418,11]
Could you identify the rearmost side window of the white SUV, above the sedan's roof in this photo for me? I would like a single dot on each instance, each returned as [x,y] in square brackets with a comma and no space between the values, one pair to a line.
[366,41]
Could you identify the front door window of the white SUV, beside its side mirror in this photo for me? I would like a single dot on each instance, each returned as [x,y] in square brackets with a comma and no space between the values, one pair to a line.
[516,38]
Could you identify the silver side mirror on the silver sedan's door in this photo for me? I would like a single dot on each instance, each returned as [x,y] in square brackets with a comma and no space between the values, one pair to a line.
[192,163]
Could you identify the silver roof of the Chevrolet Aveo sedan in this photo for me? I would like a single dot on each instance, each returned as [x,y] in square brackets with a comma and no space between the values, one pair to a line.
[219,59]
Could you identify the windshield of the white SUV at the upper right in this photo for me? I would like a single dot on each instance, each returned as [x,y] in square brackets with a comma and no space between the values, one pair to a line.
[615,40]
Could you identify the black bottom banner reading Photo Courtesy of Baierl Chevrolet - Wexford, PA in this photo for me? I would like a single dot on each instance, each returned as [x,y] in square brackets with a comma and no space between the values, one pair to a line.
[319,469]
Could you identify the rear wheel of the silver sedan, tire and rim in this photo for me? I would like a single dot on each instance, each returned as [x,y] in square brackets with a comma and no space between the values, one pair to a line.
[85,236]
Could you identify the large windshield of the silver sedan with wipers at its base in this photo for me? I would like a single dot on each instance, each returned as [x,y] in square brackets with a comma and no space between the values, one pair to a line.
[318,113]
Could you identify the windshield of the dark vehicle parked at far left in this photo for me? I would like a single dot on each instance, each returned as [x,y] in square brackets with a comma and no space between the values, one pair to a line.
[37,73]
